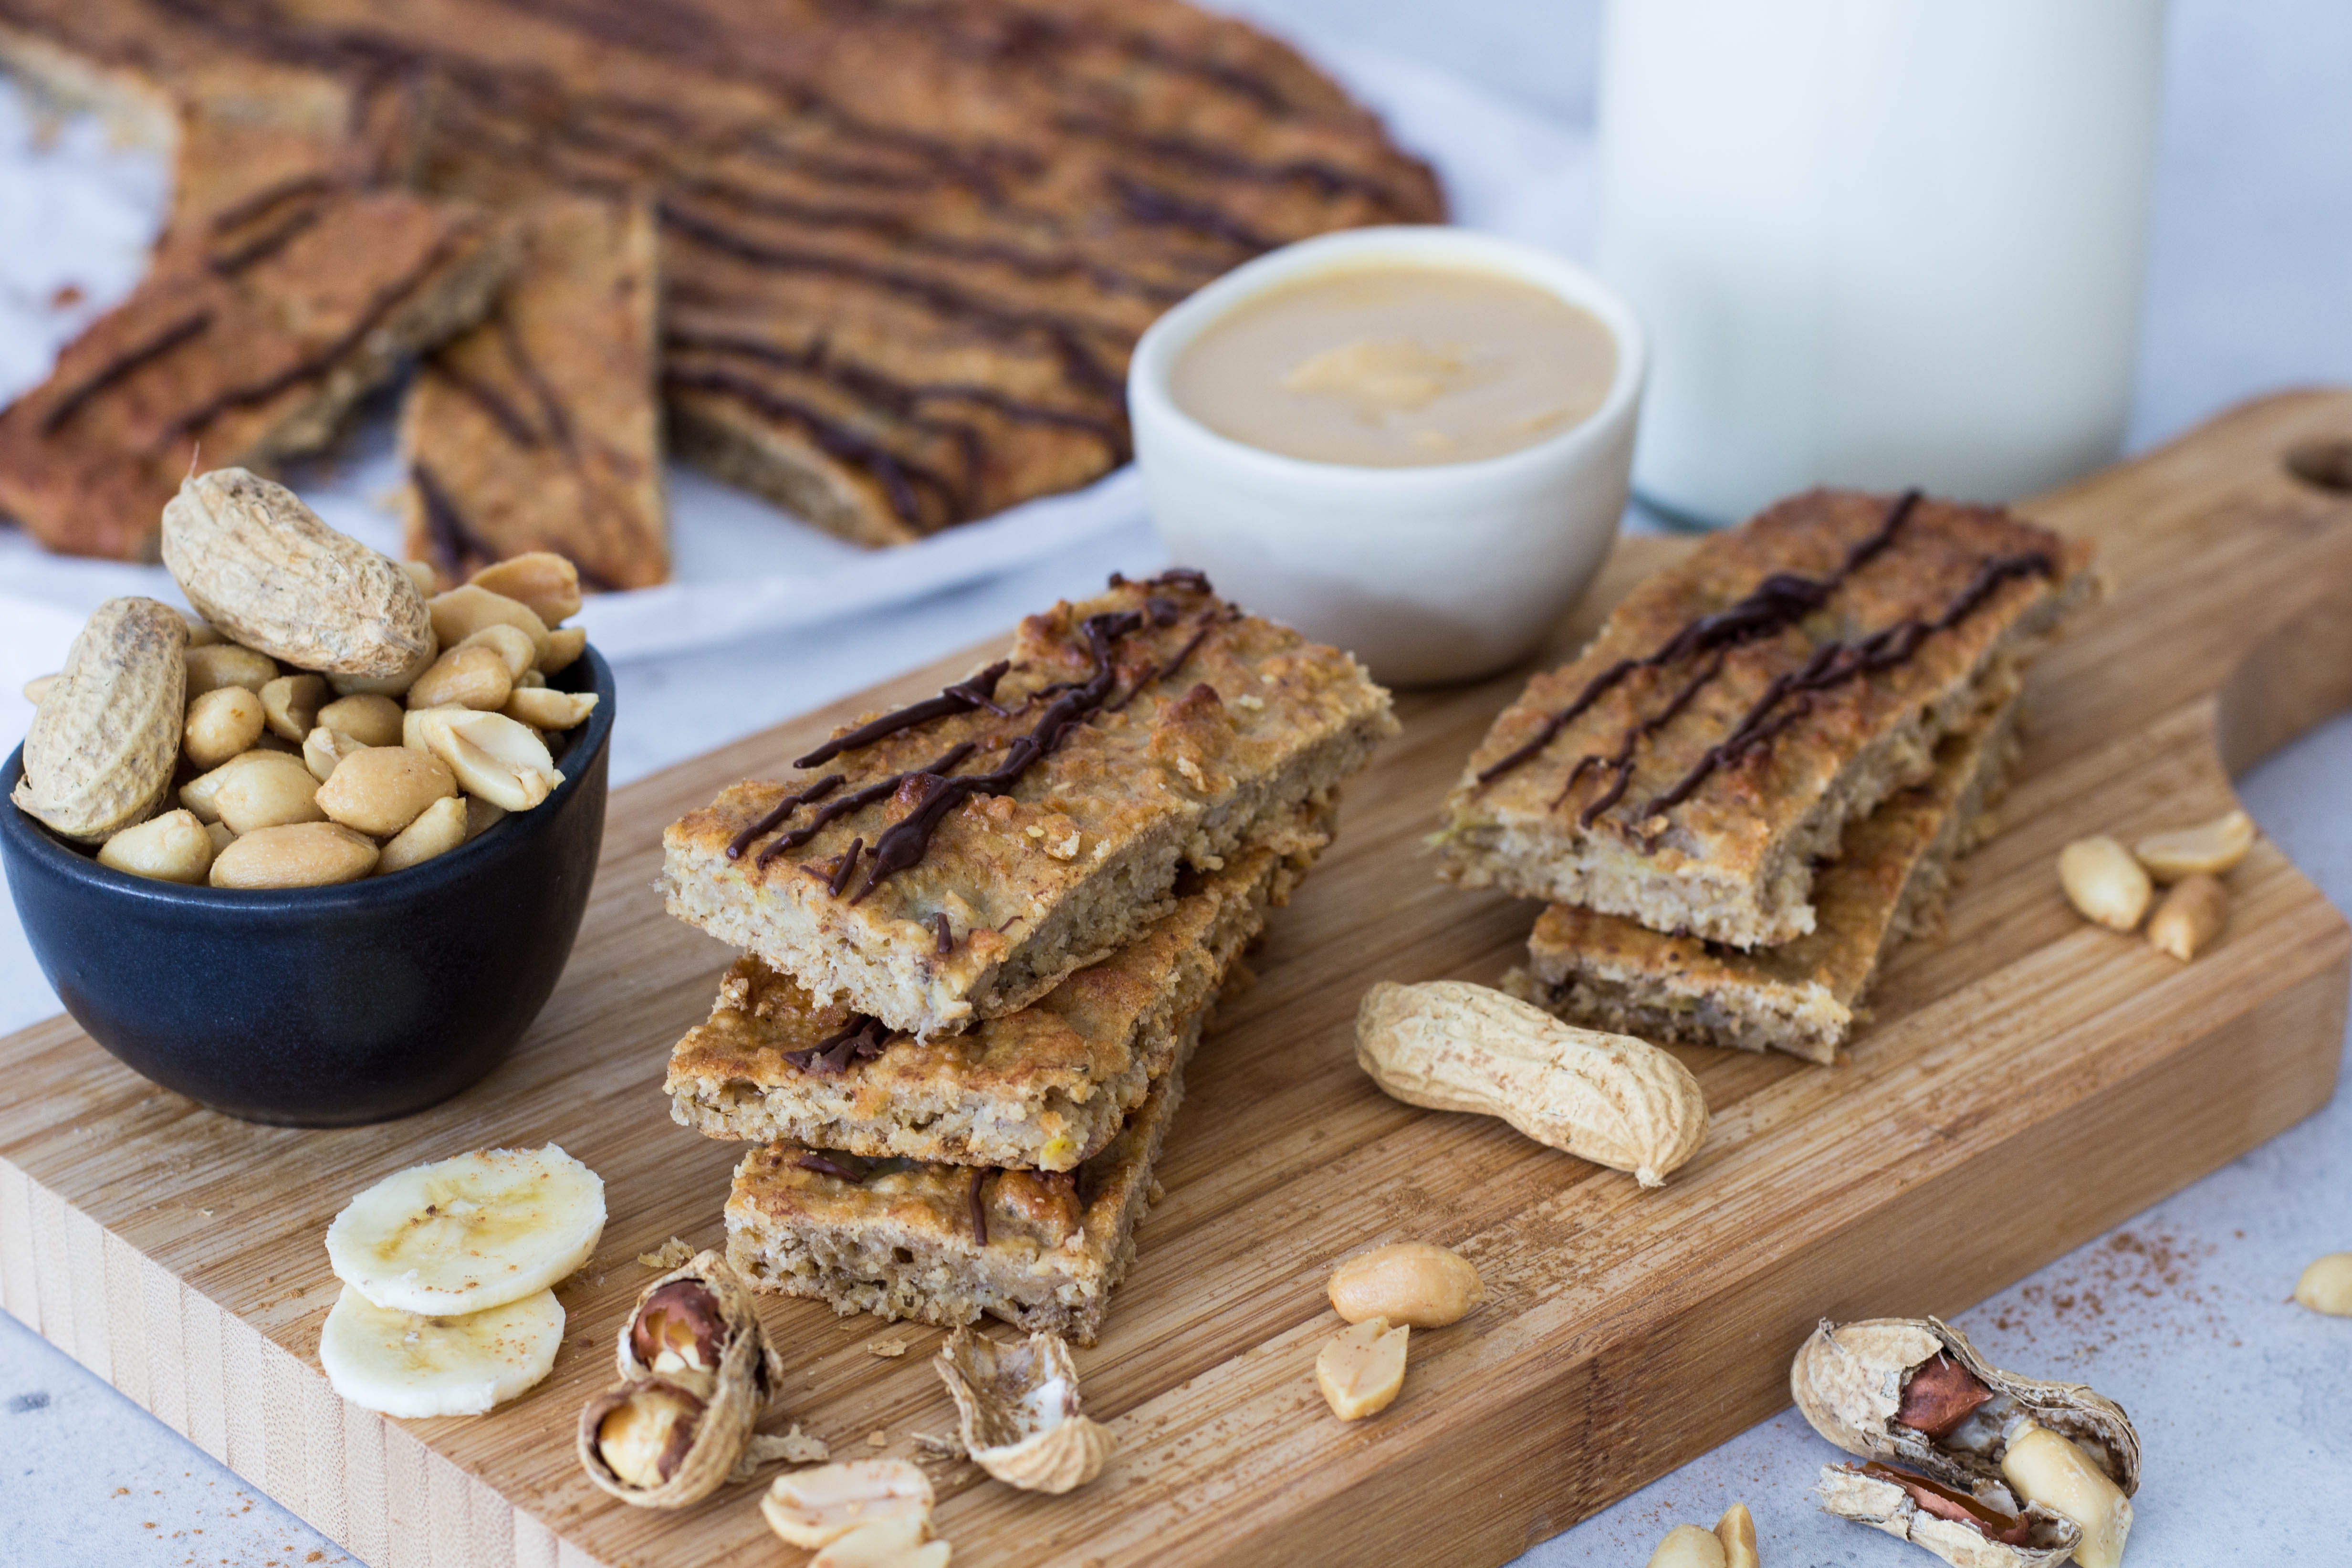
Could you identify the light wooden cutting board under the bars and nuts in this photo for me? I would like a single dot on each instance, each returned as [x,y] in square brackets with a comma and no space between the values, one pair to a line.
[2026,1085]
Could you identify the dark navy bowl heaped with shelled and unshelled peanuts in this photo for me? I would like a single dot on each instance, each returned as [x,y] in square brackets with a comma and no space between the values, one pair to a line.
[319,852]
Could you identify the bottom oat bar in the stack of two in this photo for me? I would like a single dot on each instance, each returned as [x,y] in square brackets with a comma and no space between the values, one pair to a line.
[1800,998]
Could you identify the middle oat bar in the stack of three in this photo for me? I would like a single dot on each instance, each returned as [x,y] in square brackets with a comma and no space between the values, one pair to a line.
[1045,1087]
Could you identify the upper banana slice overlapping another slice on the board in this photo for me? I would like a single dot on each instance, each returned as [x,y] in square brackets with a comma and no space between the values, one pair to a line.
[472,1233]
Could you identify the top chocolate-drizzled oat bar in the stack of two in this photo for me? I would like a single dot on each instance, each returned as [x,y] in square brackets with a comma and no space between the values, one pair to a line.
[1739,709]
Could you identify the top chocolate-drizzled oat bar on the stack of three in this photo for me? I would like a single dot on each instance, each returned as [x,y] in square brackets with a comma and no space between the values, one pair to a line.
[956,859]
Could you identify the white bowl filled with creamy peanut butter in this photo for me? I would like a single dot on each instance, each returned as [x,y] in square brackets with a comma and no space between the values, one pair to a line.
[1412,443]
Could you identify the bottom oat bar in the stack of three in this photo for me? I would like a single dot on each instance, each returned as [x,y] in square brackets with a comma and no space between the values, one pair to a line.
[949,1245]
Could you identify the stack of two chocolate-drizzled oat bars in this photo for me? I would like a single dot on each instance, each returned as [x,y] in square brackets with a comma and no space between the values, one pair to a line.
[1756,779]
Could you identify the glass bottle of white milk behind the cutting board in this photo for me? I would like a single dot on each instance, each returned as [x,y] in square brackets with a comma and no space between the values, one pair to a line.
[1878,241]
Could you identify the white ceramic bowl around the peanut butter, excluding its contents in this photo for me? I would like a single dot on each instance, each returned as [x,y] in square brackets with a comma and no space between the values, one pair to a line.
[1429,575]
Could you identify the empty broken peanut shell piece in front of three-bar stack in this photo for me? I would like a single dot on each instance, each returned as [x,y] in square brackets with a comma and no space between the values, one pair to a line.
[1020,1414]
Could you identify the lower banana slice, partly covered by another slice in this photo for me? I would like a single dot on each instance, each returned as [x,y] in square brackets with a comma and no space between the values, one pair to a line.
[406,1365]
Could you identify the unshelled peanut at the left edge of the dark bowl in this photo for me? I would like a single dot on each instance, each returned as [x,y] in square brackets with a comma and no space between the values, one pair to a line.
[105,737]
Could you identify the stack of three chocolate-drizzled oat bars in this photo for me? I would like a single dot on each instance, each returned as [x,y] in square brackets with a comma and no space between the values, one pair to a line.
[980,942]
